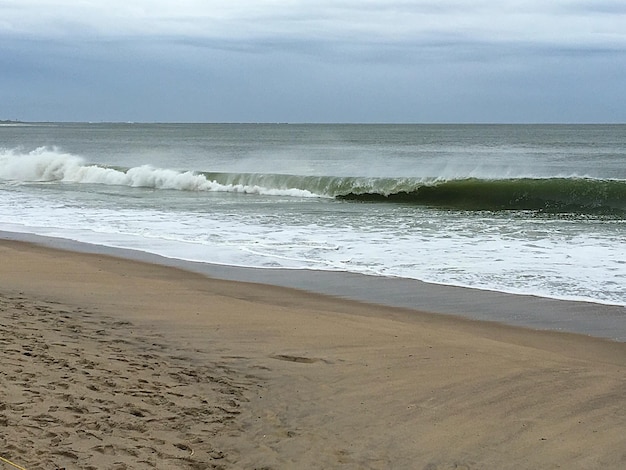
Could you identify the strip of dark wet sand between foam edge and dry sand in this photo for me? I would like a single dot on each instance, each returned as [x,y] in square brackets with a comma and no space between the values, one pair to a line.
[528,311]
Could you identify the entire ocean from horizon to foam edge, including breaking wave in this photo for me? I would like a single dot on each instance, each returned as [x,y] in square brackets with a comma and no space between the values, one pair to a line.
[525,209]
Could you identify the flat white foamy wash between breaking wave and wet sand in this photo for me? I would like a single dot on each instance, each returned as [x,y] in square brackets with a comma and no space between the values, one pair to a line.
[531,257]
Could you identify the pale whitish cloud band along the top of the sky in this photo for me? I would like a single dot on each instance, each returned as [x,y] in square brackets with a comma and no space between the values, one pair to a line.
[573,23]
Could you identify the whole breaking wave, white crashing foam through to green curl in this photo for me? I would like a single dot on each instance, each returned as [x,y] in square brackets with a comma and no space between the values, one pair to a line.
[557,194]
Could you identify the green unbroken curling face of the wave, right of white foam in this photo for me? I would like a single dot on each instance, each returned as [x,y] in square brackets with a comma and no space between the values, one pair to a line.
[575,195]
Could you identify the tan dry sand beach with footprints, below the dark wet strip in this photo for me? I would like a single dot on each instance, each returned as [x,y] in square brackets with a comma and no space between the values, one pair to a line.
[113,364]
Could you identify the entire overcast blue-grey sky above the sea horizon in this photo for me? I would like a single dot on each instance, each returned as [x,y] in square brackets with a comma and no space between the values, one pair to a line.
[423,61]
